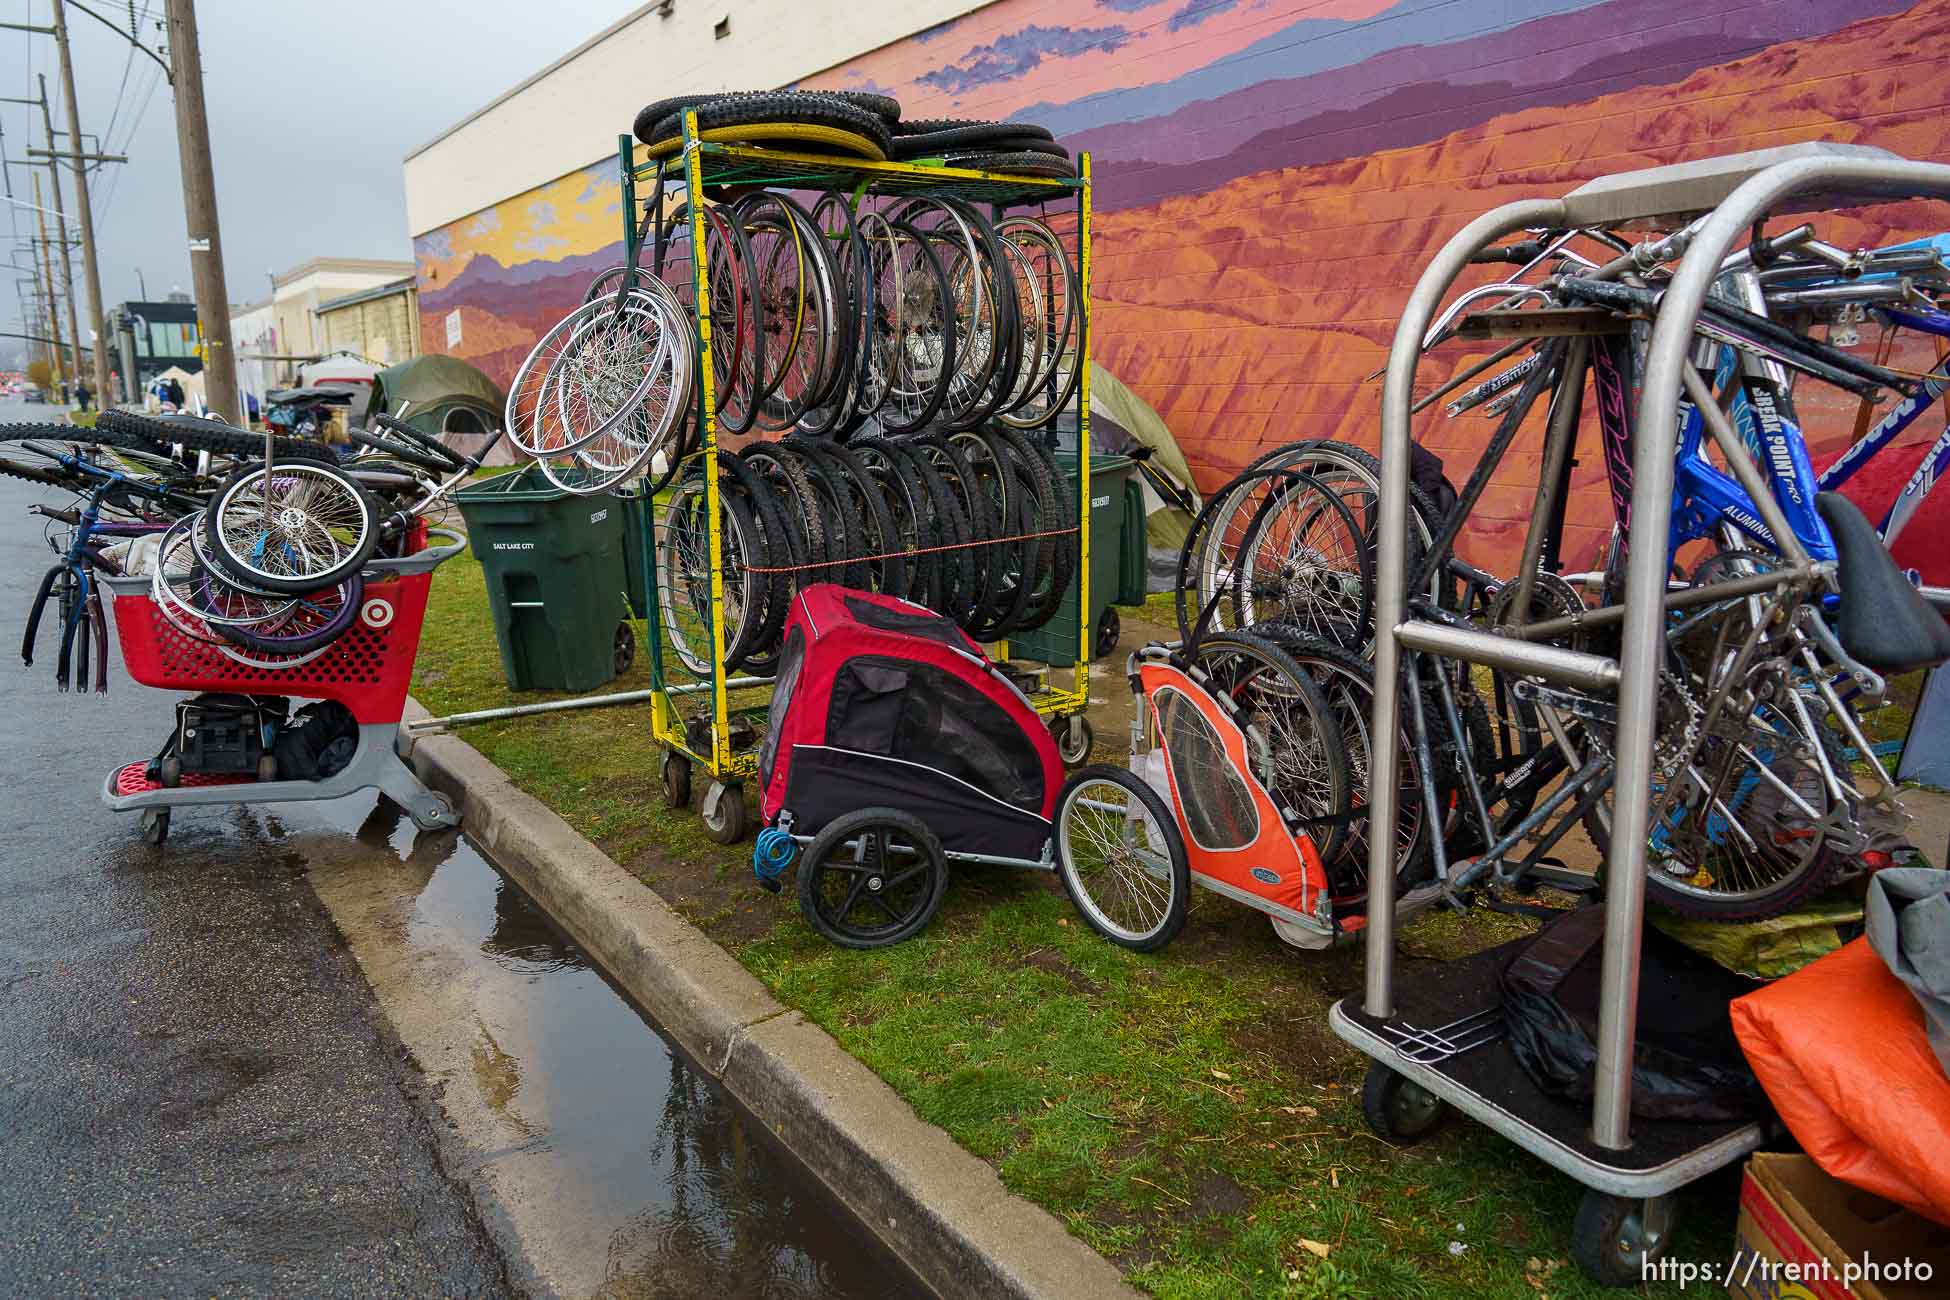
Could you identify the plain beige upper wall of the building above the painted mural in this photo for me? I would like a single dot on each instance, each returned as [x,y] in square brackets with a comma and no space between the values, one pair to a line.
[570,114]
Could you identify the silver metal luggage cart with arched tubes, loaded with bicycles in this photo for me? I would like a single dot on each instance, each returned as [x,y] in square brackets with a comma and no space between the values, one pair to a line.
[1438,1038]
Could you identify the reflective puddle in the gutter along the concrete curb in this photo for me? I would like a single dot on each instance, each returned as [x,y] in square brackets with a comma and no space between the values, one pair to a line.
[680,1192]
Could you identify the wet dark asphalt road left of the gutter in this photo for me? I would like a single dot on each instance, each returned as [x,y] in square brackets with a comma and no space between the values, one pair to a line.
[198,1094]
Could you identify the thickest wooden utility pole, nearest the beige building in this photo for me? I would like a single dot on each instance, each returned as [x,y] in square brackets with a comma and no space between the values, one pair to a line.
[200,210]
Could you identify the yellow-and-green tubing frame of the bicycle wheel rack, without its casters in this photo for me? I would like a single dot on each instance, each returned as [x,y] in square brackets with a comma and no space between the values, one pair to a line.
[721,763]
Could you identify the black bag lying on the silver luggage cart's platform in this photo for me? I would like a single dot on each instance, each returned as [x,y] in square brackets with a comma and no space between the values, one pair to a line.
[1686,1065]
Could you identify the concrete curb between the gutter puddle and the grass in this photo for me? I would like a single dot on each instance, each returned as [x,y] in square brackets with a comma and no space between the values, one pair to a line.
[939,1209]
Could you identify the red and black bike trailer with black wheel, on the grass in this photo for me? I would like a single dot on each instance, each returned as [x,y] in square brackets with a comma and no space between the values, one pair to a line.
[894,749]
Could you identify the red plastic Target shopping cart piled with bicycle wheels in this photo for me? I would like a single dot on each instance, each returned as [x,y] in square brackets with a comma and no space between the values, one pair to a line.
[368,669]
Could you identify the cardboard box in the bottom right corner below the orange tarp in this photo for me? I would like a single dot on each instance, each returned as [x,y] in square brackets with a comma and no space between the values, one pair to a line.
[1809,1237]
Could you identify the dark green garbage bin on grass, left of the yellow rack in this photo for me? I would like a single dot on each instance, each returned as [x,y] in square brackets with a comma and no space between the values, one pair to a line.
[557,580]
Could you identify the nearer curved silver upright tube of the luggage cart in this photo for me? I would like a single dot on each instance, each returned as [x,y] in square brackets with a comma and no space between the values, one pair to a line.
[1645,580]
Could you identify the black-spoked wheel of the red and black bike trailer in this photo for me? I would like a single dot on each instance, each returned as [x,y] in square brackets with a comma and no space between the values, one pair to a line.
[873,878]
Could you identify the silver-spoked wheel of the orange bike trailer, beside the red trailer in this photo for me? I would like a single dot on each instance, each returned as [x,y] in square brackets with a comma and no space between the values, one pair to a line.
[1122,860]
